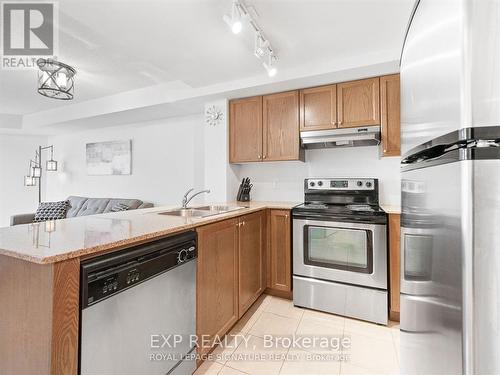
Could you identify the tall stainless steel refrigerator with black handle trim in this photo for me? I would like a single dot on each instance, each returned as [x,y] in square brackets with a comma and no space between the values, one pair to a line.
[450,222]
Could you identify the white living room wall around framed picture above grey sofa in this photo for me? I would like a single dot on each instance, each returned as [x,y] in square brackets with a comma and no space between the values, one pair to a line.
[167,159]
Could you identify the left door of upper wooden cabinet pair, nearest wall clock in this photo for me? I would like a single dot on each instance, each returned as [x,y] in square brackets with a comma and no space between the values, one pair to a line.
[245,130]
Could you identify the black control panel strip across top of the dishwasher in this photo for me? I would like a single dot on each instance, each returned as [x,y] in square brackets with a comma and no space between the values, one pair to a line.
[111,274]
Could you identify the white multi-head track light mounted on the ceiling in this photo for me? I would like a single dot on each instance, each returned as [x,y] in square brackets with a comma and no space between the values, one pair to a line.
[262,48]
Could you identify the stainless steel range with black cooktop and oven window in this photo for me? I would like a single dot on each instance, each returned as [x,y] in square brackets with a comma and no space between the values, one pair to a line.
[340,249]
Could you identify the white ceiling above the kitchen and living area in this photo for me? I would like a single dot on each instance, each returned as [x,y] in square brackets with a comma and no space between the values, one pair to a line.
[118,45]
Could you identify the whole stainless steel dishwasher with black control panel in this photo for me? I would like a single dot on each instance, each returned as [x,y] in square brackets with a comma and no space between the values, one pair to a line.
[138,309]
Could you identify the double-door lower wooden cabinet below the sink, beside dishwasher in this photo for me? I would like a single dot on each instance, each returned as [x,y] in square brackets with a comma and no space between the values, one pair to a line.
[230,273]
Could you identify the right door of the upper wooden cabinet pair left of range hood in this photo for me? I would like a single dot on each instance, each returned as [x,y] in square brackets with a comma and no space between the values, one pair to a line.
[281,126]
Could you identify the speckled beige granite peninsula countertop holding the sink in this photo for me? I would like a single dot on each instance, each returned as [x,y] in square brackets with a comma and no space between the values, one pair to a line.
[59,240]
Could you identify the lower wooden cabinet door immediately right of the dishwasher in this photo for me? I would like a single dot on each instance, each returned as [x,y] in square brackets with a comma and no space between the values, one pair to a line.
[217,279]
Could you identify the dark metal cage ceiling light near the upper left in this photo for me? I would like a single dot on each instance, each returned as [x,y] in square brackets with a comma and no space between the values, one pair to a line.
[55,79]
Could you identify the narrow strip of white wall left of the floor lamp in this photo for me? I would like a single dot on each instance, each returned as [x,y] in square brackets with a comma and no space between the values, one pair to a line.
[15,153]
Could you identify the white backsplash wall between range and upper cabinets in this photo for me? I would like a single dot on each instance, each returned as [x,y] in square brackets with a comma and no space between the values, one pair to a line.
[285,180]
